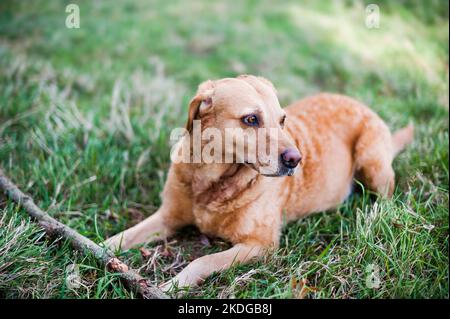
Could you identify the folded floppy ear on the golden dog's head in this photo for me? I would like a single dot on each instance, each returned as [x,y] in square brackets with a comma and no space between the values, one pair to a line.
[202,102]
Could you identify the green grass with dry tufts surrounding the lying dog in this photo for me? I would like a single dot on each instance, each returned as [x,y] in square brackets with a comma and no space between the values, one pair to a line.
[86,115]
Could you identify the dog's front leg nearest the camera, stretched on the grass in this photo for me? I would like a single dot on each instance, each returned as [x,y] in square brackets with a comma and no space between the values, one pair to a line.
[198,270]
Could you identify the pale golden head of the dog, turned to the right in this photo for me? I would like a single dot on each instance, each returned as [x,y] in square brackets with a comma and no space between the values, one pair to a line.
[244,116]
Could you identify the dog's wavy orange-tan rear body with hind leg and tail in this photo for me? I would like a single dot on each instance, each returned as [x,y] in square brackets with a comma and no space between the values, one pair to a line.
[339,138]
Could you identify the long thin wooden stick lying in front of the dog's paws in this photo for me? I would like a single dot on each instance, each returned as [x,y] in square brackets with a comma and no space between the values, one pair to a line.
[131,278]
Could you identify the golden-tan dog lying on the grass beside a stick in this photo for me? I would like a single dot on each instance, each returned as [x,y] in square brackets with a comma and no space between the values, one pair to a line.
[327,140]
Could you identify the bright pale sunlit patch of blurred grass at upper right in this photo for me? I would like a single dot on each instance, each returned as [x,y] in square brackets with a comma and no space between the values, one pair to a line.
[395,44]
